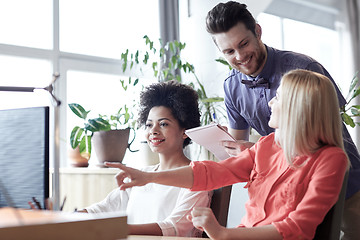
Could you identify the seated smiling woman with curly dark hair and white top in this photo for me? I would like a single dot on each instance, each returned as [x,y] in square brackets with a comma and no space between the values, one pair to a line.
[166,110]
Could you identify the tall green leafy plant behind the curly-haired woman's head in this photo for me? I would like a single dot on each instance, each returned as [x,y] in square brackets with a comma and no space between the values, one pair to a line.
[167,64]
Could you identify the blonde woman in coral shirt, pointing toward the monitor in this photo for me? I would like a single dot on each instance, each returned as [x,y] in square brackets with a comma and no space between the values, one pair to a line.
[292,175]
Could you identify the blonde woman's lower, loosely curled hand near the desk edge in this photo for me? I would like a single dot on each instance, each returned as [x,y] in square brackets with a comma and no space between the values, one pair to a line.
[204,219]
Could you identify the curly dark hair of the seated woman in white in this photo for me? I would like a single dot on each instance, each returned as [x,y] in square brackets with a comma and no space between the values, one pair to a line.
[181,99]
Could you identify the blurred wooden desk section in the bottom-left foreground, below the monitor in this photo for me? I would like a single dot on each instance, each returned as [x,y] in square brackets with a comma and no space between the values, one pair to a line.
[18,224]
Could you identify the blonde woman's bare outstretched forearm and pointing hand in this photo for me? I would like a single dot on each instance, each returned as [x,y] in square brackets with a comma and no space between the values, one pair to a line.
[179,177]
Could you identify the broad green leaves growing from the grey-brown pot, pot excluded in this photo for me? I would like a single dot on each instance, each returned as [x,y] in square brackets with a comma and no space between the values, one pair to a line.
[81,136]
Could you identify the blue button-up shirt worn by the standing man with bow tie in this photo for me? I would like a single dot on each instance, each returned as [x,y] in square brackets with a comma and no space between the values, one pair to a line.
[248,107]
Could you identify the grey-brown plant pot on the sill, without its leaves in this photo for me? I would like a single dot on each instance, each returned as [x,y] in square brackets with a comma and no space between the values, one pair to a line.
[110,146]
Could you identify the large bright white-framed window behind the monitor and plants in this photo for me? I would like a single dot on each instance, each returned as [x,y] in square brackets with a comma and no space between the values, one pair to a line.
[82,40]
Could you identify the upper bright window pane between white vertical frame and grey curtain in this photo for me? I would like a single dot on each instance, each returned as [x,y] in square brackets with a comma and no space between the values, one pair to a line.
[107,27]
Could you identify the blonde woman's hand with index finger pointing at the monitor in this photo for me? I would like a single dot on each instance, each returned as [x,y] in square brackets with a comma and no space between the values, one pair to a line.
[137,177]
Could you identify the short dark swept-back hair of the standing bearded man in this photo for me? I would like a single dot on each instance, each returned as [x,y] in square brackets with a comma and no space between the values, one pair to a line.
[224,16]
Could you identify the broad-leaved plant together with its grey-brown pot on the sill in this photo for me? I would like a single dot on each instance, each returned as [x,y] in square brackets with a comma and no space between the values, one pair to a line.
[108,134]
